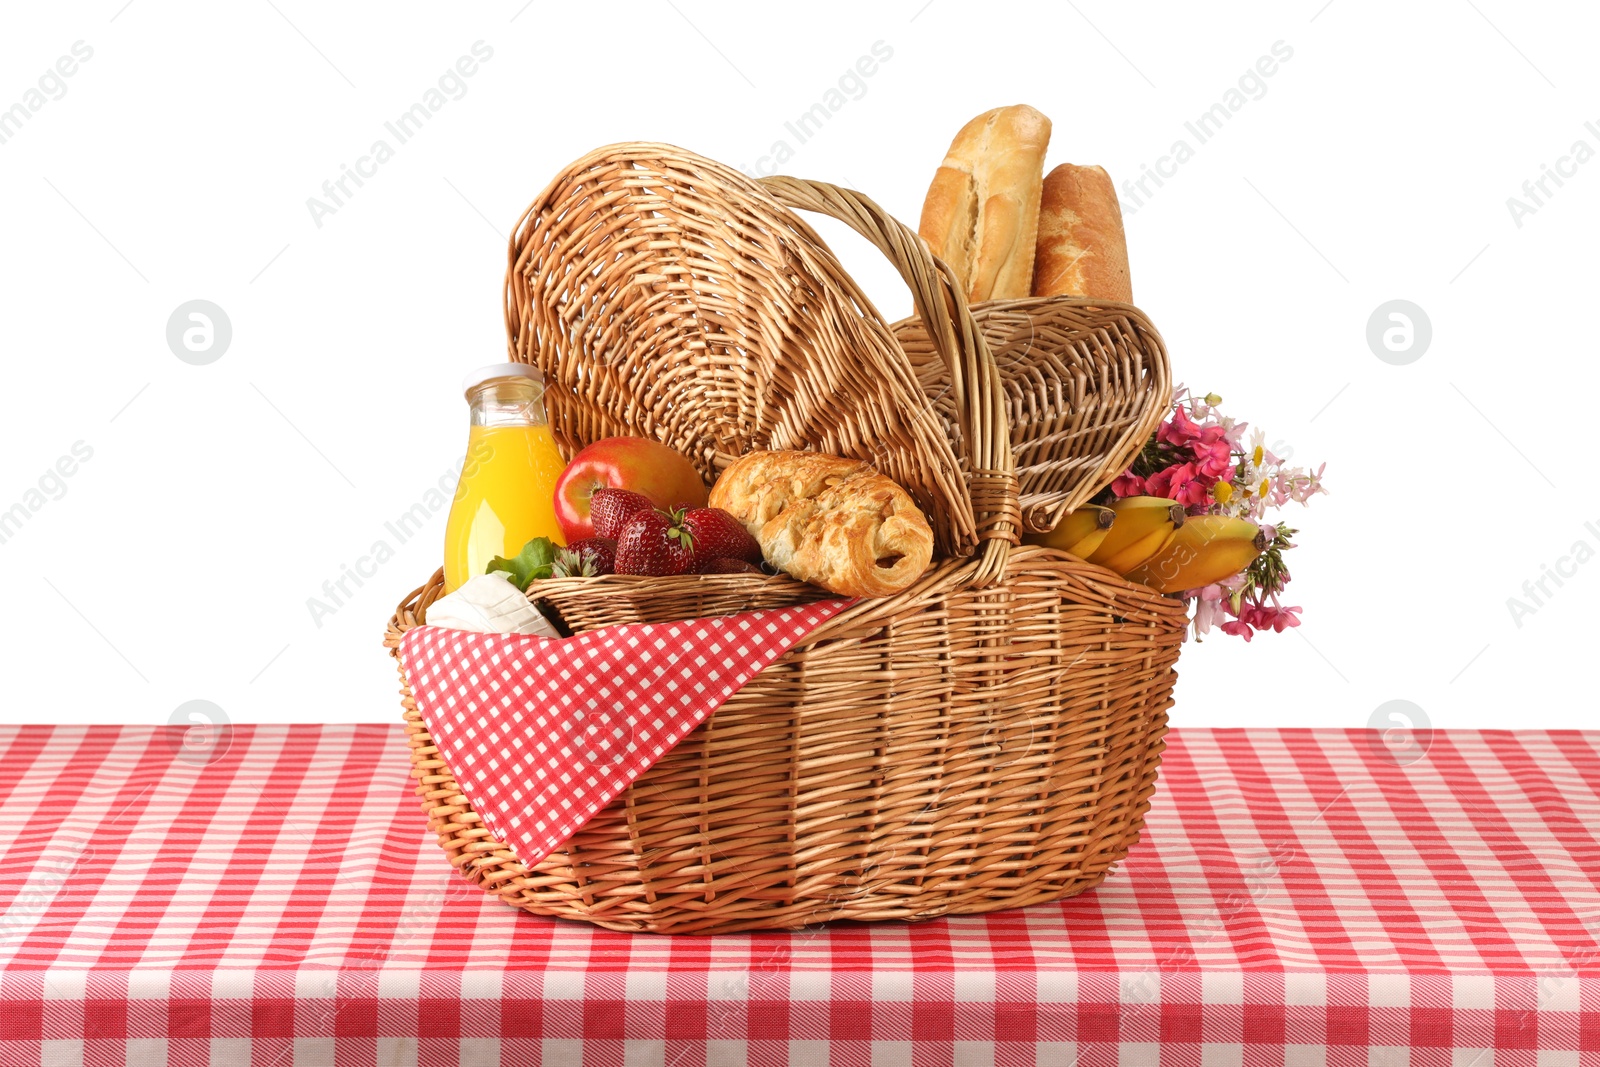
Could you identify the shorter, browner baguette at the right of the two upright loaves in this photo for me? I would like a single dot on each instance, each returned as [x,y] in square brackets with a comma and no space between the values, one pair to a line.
[1082,249]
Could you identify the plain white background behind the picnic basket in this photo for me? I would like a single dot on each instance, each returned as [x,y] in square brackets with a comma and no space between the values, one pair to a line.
[1377,166]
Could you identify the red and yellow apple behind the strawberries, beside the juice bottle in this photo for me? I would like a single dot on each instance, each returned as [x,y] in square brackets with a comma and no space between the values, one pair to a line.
[625,463]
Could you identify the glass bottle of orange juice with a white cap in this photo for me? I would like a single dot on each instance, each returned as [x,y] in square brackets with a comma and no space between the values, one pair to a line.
[508,482]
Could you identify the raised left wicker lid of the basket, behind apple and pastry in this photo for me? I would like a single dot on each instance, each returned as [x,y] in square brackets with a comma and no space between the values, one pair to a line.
[666,295]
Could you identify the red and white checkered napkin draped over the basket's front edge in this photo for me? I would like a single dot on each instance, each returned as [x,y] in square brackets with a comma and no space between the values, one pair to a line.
[545,733]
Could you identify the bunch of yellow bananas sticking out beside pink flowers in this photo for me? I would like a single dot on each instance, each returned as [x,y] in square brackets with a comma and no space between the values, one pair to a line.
[1150,540]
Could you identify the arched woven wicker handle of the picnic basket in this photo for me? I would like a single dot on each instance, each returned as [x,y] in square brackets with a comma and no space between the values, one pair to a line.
[975,380]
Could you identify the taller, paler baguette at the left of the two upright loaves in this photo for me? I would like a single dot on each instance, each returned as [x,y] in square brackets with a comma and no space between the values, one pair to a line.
[982,214]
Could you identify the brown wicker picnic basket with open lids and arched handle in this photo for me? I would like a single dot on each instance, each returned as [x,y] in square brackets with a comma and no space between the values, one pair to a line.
[985,740]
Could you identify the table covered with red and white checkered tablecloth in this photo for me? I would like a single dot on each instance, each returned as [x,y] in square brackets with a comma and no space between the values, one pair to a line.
[1303,897]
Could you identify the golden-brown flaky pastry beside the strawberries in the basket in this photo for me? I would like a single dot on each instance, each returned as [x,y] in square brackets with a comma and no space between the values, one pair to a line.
[828,521]
